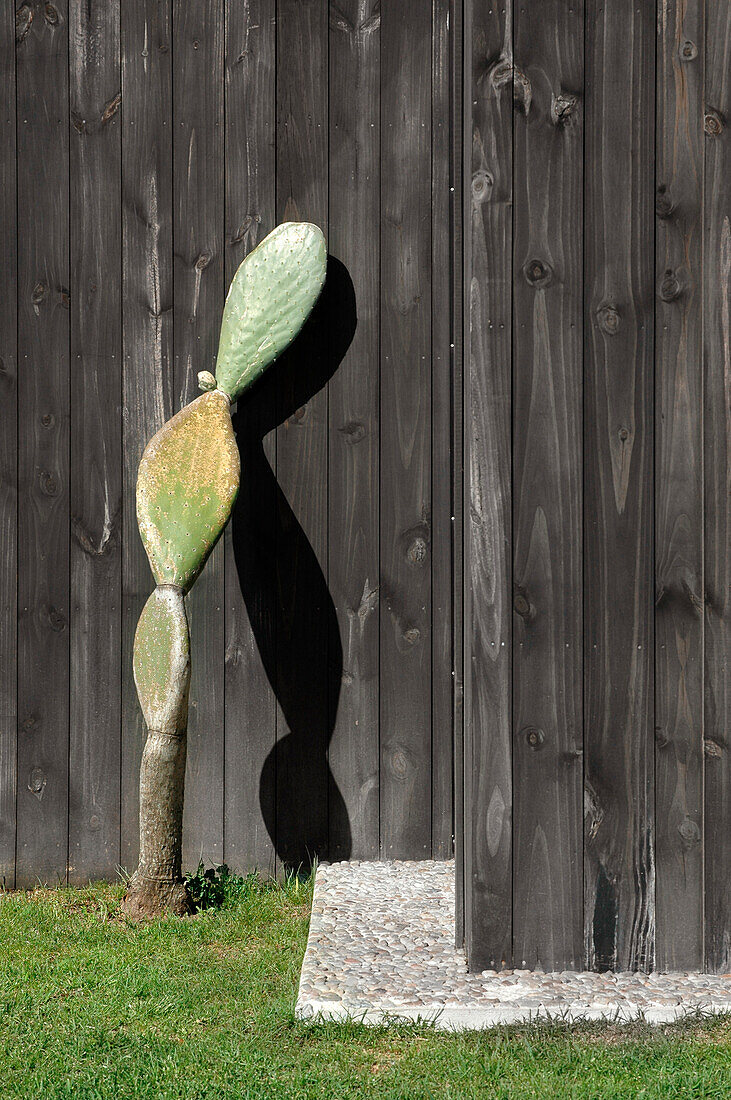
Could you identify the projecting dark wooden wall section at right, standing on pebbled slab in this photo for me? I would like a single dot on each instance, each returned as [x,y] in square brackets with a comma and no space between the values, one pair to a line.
[597,545]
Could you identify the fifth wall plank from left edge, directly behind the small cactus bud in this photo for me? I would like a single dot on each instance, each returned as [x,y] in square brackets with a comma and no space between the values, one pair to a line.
[198,178]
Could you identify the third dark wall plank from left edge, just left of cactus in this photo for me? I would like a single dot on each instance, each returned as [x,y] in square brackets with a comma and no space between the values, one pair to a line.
[96,491]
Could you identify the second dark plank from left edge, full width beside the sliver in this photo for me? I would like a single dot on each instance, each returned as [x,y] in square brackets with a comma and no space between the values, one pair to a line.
[43,459]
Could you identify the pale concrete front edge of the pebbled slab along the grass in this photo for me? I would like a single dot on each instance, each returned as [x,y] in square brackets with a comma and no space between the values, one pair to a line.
[452,1018]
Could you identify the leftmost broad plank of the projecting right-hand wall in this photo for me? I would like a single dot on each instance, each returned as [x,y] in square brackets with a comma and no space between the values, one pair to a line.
[489,262]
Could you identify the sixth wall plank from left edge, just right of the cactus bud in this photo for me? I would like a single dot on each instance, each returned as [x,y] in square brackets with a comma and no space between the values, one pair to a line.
[250,216]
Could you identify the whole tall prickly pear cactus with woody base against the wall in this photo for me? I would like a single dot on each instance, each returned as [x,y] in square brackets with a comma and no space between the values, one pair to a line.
[187,486]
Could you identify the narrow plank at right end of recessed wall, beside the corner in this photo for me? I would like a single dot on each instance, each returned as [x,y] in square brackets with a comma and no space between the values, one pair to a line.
[442,846]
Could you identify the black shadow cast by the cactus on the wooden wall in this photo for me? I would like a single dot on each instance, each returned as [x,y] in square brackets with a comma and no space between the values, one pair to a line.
[291,610]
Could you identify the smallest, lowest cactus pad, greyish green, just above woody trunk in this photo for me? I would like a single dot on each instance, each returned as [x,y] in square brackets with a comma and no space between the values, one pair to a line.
[162,661]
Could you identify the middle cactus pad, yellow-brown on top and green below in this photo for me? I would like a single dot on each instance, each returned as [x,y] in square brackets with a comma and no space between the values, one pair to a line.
[187,485]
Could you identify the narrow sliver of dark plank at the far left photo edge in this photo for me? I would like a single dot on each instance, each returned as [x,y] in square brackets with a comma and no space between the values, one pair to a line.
[8,452]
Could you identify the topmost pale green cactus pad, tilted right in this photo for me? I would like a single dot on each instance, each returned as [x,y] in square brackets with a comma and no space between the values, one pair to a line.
[270,300]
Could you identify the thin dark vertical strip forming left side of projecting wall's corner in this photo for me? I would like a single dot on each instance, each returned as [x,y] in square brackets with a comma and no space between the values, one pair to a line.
[458,200]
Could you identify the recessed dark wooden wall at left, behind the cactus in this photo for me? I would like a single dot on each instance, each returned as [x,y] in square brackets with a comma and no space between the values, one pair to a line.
[147,147]
